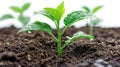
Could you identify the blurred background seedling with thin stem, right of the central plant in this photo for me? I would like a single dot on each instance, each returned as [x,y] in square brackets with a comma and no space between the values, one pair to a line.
[93,20]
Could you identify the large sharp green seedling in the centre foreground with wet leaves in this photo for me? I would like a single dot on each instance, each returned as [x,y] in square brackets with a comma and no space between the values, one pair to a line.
[55,14]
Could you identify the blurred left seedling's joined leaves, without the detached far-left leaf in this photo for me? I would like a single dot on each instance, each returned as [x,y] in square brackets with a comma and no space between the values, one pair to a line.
[23,19]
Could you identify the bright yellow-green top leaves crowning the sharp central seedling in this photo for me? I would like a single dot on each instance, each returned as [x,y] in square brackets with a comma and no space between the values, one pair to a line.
[55,14]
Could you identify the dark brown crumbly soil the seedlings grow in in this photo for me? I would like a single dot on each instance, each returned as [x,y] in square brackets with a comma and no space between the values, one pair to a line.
[38,49]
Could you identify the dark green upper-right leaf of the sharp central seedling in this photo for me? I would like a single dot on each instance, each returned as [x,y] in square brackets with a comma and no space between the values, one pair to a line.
[74,17]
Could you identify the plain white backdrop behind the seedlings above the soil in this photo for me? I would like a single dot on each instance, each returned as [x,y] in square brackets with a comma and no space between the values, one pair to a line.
[110,13]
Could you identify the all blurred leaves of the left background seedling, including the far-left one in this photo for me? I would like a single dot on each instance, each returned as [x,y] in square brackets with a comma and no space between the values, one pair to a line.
[23,19]
